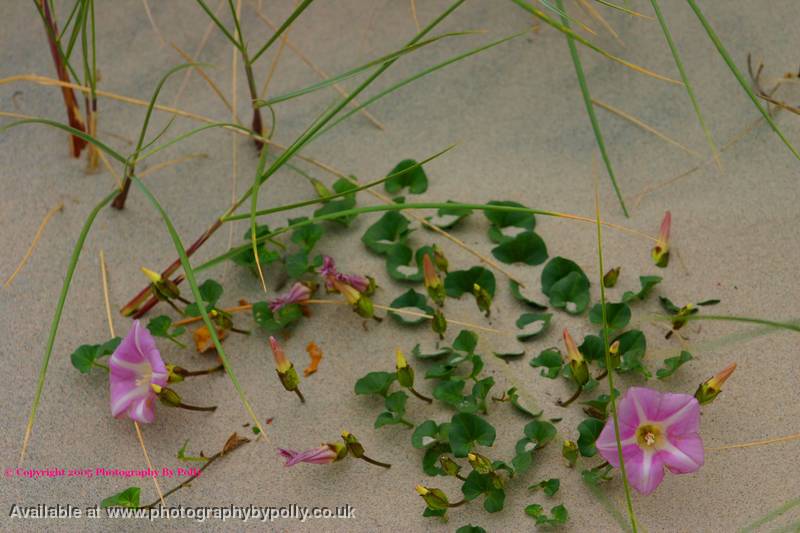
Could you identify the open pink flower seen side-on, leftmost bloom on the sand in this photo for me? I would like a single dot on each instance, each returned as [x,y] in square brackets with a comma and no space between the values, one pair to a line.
[134,366]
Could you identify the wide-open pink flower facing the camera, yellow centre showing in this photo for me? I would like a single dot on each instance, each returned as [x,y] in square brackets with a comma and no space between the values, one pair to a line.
[656,431]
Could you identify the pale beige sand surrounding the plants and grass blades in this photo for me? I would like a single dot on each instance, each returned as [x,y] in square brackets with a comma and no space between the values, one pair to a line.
[516,115]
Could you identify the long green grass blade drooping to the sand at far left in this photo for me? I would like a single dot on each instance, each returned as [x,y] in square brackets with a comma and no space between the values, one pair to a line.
[62,297]
